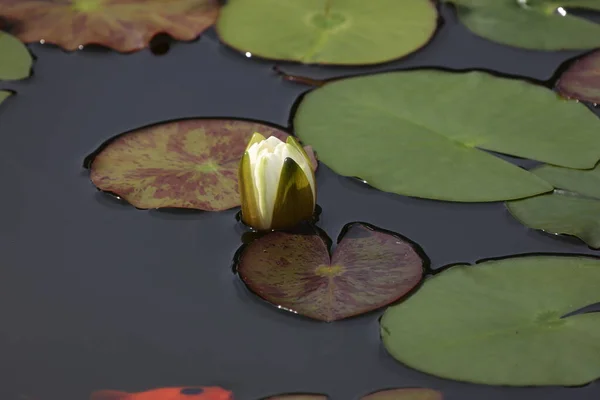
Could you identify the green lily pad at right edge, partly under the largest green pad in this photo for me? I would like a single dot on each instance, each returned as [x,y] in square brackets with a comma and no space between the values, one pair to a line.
[572,209]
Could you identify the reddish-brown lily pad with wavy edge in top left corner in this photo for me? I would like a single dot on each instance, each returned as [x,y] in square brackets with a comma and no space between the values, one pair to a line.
[123,25]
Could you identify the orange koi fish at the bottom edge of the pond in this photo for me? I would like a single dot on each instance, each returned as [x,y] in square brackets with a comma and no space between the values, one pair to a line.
[180,393]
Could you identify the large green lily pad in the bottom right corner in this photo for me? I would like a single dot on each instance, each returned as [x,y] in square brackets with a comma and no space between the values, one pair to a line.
[502,323]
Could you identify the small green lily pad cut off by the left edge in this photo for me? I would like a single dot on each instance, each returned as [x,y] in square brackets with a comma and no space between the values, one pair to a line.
[15,60]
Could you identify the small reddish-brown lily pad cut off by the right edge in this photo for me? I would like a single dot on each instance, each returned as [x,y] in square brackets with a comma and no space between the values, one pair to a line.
[582,80]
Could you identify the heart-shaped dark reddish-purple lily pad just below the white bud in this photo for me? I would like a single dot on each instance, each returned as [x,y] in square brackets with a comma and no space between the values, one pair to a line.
[369,269]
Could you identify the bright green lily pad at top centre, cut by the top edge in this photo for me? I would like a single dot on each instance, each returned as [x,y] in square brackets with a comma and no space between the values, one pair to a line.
[328,32]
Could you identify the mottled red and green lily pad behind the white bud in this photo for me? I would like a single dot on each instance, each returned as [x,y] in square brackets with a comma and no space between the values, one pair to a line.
[189,163]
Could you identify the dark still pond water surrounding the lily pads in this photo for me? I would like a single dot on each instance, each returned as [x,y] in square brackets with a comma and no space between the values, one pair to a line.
[95,294]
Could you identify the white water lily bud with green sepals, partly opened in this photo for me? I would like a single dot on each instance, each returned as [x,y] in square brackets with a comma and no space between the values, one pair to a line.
[277,183]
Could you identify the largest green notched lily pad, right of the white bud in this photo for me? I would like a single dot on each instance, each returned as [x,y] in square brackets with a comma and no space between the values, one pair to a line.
[418,133]
